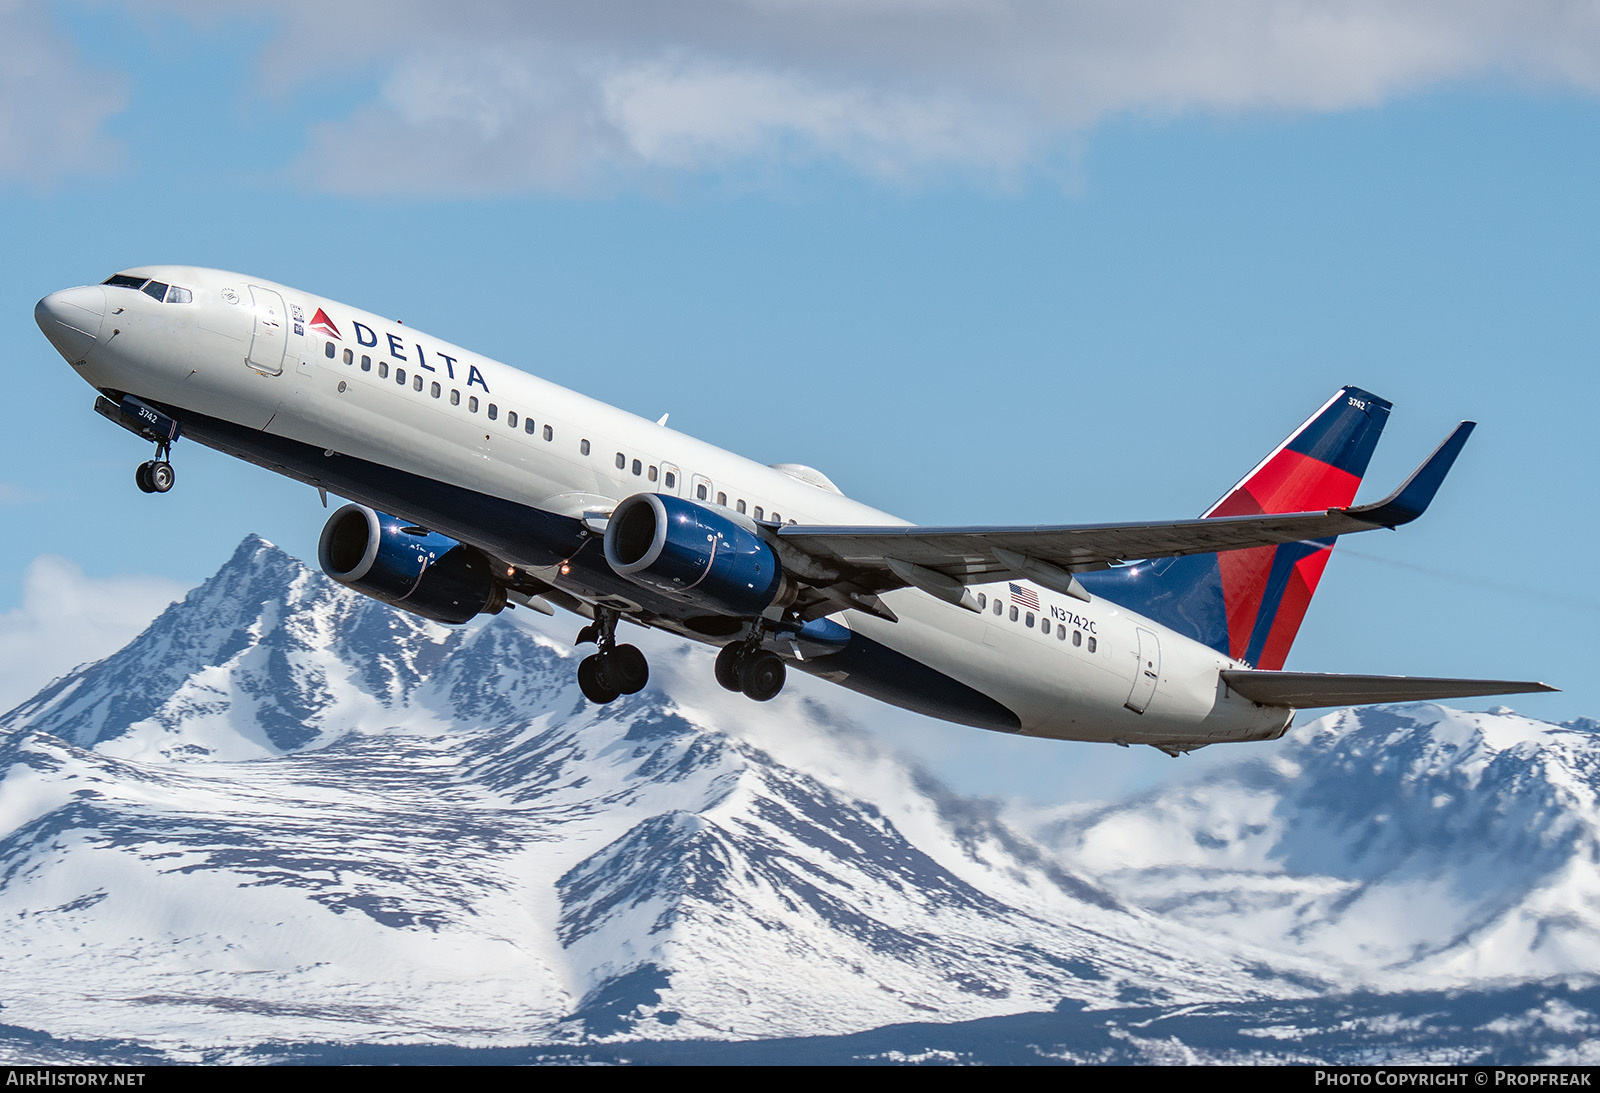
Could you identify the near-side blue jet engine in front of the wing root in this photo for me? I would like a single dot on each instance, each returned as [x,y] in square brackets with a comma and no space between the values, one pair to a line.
[694,555]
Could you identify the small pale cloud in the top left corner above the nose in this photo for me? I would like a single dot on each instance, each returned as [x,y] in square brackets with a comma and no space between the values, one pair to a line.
[52,103]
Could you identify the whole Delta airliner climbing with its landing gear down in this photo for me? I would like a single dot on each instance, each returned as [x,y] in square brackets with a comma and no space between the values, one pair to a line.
[474,484]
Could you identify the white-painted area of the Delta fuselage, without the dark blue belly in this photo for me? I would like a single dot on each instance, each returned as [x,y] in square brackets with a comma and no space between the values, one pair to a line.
[462,418]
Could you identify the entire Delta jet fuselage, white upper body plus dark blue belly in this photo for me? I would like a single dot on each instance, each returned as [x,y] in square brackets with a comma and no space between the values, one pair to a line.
[526,470]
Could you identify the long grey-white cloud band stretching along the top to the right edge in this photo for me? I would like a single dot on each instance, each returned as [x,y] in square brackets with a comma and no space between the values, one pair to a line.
[498,97]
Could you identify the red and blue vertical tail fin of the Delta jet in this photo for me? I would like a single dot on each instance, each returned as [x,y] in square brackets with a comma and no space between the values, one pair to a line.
[1250,604]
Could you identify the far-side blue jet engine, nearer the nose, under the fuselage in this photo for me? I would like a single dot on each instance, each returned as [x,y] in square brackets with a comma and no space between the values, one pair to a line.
[412,569]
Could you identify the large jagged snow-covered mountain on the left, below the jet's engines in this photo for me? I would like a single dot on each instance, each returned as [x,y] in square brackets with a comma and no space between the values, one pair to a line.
[290,812]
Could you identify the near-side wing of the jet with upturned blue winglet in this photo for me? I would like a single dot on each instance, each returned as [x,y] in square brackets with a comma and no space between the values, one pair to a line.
[940,561]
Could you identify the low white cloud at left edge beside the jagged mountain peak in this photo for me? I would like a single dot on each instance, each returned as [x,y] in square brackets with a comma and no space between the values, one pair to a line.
[68,619]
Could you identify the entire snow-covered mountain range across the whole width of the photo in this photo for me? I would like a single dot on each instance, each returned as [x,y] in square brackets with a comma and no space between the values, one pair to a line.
[287,814]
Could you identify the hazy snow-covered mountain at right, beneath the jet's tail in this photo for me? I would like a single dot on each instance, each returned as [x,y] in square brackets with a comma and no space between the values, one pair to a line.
[1407,846]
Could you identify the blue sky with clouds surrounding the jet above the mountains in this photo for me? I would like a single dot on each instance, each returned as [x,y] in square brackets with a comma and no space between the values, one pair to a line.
[980,263]
